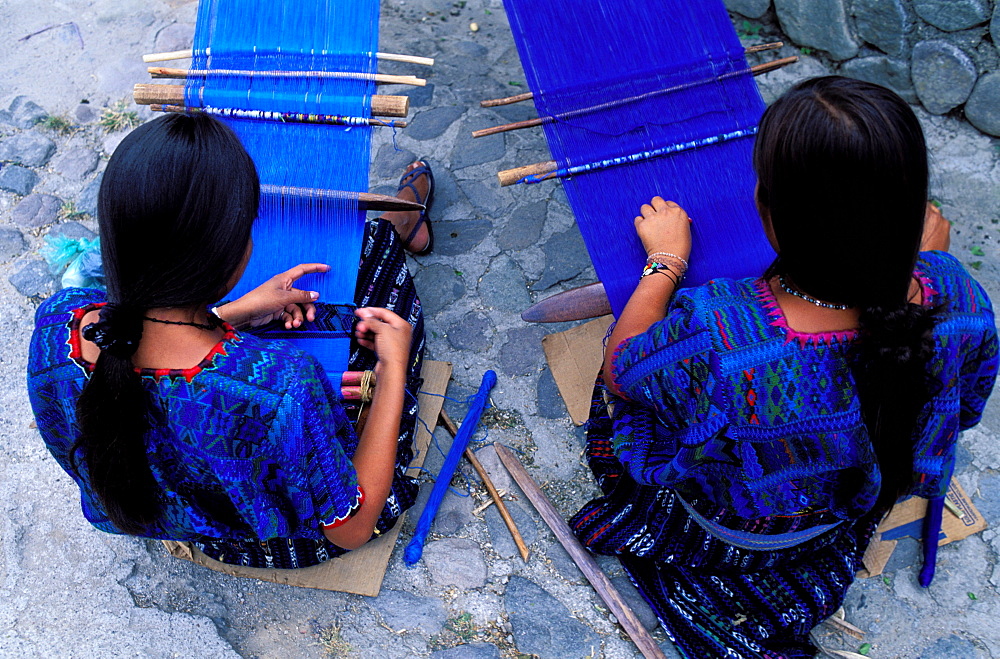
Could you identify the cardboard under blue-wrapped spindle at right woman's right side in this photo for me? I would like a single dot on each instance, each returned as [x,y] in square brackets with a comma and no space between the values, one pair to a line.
[906,519]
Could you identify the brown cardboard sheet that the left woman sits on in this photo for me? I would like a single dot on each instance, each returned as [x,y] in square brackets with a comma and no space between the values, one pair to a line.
[362,570]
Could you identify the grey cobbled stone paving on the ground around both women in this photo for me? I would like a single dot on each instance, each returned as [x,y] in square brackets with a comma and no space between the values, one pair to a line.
[68,590]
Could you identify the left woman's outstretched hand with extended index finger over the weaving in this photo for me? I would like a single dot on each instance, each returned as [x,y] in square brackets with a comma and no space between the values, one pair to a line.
[276,299]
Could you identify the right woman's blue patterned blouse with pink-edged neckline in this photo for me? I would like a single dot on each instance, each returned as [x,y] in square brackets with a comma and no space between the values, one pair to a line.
[758,420]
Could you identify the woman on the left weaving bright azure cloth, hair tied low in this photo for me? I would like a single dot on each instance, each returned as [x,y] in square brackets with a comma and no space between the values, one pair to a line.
[178,424]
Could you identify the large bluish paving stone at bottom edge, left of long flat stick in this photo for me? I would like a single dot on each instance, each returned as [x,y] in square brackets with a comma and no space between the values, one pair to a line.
[543,626]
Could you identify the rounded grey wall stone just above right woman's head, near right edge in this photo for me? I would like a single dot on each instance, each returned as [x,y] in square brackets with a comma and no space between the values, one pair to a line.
[943,75]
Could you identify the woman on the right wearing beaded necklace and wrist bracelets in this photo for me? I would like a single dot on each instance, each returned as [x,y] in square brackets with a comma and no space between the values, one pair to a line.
[752,433]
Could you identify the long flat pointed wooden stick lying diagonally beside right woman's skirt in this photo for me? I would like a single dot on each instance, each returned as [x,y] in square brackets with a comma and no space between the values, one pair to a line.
[626,618]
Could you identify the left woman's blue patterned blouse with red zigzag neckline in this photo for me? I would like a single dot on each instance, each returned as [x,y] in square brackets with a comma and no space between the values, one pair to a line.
[257,424]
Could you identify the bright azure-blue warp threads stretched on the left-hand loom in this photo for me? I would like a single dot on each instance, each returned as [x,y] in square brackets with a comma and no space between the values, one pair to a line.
[233,40]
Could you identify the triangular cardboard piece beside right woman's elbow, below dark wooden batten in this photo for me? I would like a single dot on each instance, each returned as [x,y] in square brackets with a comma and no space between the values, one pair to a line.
[575,357]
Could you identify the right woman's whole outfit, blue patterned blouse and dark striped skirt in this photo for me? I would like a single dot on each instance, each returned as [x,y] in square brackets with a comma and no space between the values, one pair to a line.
[738,478]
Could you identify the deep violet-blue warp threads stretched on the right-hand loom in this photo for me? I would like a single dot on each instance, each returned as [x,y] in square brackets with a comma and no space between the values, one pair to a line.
[664,88]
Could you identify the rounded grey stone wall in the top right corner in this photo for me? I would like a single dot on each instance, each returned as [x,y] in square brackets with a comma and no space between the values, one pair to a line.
[941,54]
